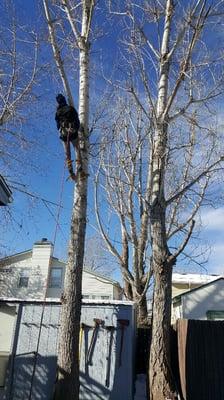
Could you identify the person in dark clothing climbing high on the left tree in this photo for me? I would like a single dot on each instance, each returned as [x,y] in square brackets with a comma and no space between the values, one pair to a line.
[68,124]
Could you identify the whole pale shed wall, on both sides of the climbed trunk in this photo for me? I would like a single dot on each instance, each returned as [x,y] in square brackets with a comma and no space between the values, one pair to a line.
[102,376]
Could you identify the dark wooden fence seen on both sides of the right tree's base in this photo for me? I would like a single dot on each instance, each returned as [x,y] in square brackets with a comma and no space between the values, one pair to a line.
[197,358]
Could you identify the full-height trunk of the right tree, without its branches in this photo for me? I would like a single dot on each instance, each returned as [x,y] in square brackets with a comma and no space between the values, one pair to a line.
[160,378]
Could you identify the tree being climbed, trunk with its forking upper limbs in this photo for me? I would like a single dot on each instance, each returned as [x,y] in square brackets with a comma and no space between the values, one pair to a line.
[68,357]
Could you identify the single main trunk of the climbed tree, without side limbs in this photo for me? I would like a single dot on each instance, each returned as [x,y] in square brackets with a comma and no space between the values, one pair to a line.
[68,357]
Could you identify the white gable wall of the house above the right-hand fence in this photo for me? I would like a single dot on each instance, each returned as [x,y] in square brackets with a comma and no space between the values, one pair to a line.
[210,297]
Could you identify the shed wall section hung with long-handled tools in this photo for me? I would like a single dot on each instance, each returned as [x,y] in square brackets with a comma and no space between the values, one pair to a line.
[102,377]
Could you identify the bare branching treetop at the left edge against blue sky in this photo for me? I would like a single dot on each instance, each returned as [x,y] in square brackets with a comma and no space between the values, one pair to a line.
[18,73]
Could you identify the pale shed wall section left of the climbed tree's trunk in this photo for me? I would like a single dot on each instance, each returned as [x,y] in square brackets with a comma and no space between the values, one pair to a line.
[31,369]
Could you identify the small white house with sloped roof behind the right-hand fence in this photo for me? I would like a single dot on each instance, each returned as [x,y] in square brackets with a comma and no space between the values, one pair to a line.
[204,302]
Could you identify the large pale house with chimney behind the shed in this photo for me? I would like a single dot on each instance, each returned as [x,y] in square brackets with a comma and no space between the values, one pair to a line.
[36,273]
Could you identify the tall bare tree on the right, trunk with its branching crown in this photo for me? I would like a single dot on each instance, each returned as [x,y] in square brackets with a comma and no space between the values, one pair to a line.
[174,73]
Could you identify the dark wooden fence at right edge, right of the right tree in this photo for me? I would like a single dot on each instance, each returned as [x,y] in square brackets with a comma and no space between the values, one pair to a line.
[201,359]
